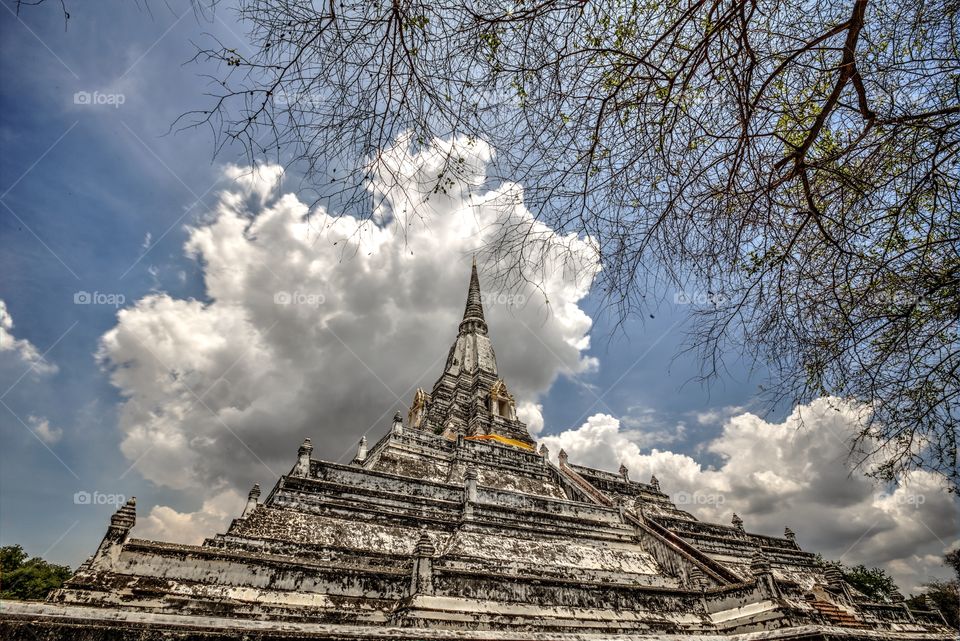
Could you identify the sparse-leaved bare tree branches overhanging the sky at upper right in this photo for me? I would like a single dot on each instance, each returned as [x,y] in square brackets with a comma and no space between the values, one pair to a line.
[794,162]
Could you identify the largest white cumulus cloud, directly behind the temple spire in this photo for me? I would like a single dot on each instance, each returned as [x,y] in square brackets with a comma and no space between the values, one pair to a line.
[322,325]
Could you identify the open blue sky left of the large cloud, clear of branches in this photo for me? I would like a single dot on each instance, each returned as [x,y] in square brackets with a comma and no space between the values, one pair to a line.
[83,186]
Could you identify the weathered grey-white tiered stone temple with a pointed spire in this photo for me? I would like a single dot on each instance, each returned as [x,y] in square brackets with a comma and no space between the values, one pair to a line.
[454,525]
